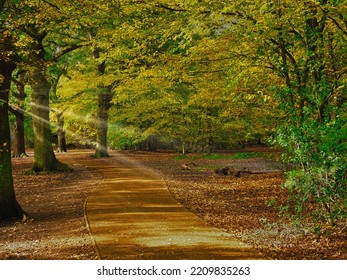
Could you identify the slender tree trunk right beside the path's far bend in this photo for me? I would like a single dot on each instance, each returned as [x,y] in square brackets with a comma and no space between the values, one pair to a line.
[104,105]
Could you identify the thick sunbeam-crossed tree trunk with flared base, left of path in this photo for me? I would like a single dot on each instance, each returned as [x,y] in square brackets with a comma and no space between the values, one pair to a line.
[44,157]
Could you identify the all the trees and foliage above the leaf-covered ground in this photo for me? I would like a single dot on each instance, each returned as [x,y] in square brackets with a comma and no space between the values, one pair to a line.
[194,76]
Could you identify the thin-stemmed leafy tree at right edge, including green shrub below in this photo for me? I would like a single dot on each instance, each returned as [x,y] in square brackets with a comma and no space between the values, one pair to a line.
[302,45]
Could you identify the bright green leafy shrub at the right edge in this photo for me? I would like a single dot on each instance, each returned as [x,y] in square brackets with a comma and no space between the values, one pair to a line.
[317,154]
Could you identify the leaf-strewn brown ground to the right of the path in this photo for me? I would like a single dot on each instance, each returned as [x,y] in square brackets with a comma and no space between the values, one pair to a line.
[247,207]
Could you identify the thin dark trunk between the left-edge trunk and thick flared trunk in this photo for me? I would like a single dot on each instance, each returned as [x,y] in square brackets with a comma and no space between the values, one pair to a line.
[19,141]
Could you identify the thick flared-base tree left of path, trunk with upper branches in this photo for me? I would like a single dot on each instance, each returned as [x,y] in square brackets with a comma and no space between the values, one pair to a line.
[42,52]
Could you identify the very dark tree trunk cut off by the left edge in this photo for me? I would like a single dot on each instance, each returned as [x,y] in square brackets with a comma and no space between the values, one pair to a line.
[9,207]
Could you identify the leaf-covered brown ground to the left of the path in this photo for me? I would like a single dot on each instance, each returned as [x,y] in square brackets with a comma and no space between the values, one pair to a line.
[56,227]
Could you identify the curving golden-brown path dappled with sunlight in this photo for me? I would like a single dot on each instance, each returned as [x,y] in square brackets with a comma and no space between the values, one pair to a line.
[132,215]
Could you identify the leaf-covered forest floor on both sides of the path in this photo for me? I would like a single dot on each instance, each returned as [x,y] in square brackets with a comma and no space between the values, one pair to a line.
[246,207]
